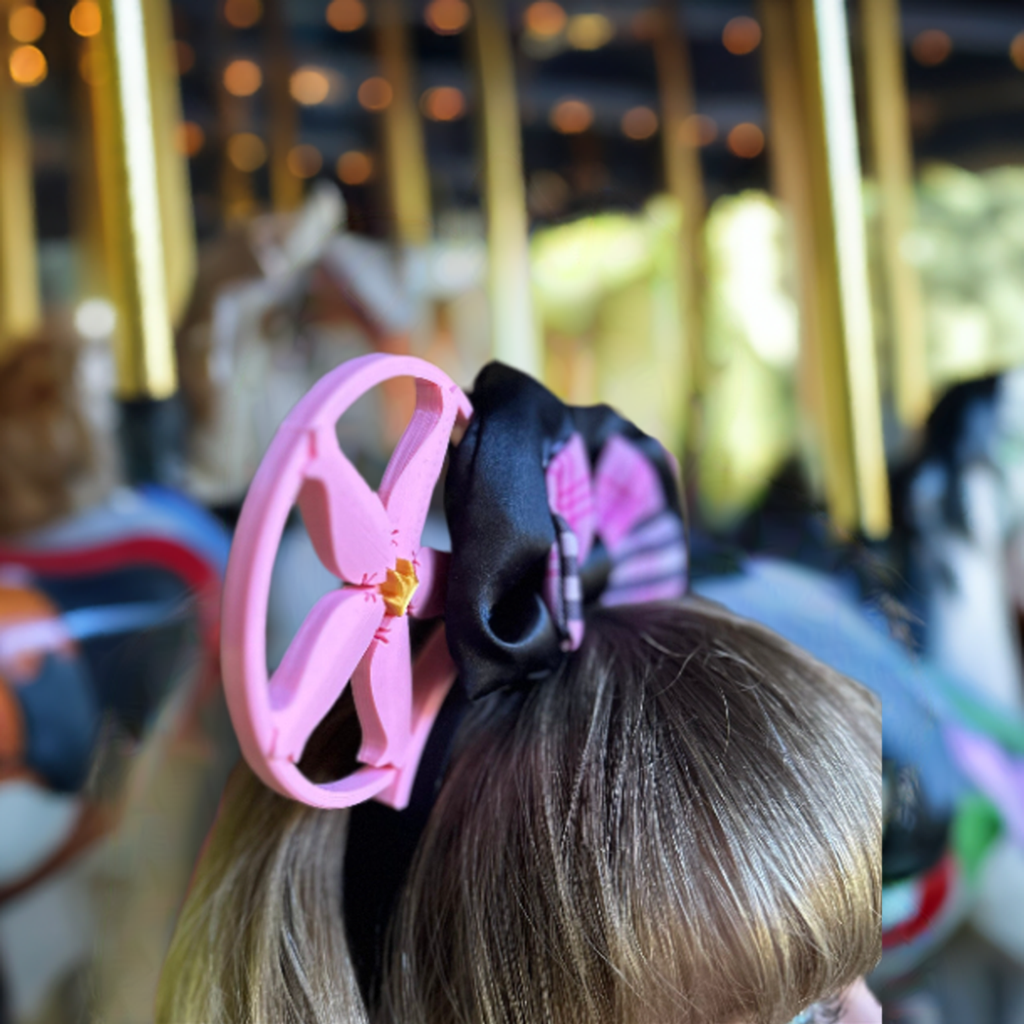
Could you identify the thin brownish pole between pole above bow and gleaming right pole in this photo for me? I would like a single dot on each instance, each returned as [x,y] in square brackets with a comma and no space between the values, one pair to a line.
[684,176]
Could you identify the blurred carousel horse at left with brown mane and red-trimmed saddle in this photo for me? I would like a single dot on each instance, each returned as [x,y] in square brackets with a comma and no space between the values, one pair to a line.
[108,614]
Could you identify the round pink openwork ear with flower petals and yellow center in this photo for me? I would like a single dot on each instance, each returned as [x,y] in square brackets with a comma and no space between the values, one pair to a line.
[371,541]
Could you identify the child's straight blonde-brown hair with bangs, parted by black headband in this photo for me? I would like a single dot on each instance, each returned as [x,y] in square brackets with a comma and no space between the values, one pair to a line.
[684,827]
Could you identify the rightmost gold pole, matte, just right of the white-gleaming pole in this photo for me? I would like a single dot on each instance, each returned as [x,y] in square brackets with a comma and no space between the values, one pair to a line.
[890,135]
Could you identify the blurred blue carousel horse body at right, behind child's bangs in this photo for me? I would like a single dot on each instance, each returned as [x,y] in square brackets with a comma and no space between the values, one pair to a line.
[954,761]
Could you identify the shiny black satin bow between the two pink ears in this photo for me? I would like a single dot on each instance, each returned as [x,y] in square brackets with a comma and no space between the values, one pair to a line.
[500,630]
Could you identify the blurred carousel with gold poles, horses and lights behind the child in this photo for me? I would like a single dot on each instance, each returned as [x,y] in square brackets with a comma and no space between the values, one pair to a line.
[785,237]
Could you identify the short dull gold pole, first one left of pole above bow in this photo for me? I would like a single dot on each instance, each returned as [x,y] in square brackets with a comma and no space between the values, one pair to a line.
[405,147]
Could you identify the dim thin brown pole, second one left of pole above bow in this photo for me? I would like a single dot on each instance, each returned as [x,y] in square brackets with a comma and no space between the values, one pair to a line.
[286,189]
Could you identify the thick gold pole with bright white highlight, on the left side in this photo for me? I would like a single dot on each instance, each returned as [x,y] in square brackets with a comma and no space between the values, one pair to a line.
[131,202]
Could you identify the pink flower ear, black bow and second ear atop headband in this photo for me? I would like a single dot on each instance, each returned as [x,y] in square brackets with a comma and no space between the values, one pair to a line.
[551,508]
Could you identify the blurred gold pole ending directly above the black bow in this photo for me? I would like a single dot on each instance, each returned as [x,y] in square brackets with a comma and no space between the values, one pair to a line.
[515,331]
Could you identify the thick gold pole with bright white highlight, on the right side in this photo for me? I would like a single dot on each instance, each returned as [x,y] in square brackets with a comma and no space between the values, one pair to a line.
[806,42]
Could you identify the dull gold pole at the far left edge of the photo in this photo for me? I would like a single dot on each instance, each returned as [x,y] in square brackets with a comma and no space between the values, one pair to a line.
[21,315]
